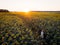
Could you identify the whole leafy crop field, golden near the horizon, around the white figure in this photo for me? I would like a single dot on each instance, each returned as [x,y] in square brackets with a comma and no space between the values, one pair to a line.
[24,28]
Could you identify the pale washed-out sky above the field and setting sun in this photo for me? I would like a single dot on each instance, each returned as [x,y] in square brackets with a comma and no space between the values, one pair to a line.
[22,5]
